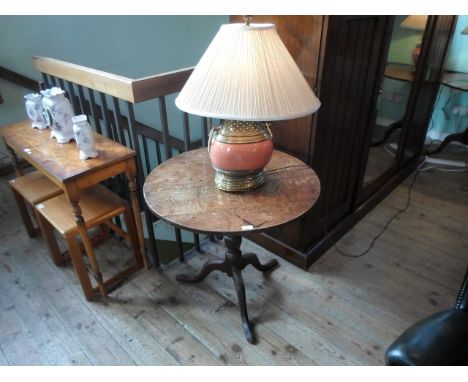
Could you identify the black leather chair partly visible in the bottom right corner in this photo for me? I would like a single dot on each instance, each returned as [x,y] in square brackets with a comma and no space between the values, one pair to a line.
[438,340]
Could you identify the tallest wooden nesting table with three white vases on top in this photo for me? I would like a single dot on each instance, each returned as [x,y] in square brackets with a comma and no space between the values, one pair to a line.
[62,165]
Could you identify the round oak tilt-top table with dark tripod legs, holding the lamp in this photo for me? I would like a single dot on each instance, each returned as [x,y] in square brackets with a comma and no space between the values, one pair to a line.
[182,192]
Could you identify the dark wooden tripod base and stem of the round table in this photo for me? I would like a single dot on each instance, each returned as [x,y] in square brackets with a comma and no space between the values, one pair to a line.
[233,264]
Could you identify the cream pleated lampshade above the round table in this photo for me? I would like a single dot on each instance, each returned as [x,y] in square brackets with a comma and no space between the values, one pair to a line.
[247,74]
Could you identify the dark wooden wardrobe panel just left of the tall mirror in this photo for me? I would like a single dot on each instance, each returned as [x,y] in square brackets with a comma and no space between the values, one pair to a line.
[353,63]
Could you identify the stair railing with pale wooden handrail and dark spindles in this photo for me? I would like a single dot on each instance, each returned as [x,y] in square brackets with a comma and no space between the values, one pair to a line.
[108,100]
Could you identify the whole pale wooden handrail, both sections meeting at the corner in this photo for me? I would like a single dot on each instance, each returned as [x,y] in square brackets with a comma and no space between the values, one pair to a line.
[128,89]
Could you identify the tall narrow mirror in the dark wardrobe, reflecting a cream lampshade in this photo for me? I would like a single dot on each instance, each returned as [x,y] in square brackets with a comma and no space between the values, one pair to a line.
[402,57]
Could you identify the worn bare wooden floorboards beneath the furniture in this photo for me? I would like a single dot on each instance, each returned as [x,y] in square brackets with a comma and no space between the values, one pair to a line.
[343,311]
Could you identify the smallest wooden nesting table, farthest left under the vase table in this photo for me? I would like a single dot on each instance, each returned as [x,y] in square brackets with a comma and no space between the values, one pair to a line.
[32,188]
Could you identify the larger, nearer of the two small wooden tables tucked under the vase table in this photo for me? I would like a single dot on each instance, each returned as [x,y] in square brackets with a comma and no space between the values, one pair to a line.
[99,205]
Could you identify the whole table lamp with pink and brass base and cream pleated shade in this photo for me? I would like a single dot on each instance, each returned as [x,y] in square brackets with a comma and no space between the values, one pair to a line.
[246,78]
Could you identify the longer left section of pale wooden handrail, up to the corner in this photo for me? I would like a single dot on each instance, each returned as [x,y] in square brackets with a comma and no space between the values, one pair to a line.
[117,86]
